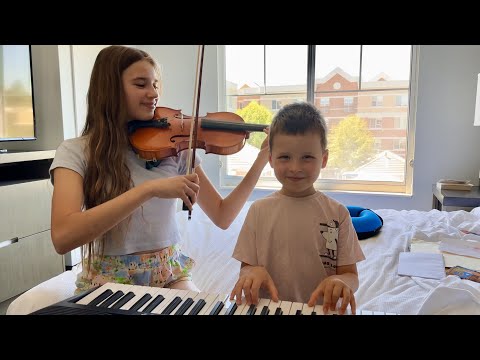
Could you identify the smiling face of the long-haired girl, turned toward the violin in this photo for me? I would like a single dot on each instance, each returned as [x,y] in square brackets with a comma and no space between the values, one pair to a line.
[140,84]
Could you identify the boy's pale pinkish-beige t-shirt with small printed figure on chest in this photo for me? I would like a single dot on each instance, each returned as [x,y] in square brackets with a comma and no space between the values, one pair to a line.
[300,241]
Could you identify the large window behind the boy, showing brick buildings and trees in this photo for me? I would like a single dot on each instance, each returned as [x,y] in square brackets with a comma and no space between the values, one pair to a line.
[364,92]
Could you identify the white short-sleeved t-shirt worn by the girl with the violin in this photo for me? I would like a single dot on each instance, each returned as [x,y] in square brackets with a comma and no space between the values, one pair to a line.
[153,225]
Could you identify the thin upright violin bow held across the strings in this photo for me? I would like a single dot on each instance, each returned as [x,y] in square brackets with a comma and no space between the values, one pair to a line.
[192,143]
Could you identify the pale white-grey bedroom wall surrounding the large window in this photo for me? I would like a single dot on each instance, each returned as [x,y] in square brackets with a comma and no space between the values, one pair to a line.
[446,144]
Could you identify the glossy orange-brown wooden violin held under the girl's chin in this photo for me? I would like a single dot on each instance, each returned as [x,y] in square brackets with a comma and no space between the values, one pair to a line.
[168,133]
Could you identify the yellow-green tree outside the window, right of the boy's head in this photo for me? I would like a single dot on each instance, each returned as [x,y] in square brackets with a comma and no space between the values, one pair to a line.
[350,144]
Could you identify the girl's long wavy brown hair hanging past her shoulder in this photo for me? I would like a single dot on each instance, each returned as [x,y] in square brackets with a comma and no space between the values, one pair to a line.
[107,175]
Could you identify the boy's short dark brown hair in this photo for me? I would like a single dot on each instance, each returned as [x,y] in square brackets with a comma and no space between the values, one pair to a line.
[298,118]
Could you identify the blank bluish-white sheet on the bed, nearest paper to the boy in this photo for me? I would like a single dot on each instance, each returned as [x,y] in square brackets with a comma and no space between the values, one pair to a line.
[425,265]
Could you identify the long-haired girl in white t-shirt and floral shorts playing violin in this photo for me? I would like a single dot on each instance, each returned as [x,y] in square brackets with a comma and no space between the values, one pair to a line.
[106,200]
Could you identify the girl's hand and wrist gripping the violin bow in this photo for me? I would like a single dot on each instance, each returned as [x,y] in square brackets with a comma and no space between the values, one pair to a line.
[183,187]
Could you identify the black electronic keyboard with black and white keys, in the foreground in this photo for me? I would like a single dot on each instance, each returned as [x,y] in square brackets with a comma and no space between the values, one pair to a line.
[121,299]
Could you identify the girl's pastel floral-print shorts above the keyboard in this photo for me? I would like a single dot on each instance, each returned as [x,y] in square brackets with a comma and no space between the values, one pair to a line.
[161,269]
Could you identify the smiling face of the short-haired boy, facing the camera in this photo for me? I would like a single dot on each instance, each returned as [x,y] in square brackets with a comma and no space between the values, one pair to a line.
[297,161]
